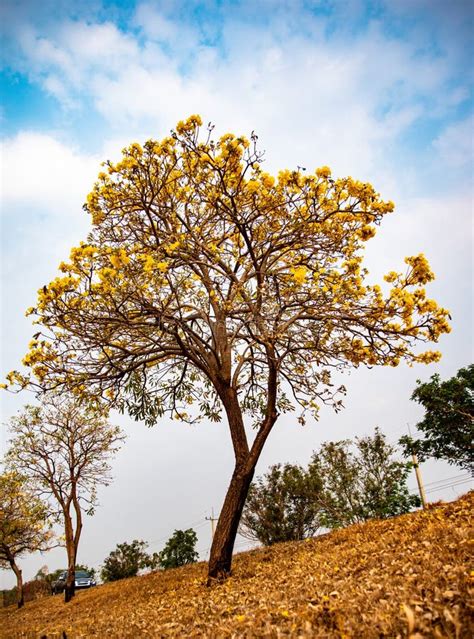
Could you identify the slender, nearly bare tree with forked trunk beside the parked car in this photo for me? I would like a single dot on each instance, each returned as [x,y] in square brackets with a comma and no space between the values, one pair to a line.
[64,448]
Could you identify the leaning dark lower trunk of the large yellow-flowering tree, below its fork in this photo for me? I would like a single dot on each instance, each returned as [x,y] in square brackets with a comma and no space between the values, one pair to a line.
[220,559]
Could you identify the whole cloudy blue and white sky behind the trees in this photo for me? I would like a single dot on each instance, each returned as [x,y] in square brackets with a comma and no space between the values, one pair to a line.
[380,90]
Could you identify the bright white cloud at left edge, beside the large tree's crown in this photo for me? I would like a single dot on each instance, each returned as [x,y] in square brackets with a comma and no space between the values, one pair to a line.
[44,185]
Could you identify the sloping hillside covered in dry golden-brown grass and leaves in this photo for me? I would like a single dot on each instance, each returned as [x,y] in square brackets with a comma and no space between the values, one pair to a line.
[404,577]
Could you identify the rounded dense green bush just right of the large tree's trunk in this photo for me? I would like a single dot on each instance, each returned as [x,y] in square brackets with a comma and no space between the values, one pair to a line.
[283,505]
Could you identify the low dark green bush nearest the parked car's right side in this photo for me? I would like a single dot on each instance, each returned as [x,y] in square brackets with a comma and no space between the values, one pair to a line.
[126,560]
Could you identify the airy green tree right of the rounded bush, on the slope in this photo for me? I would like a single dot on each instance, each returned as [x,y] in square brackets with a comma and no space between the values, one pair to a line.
[361,484]
